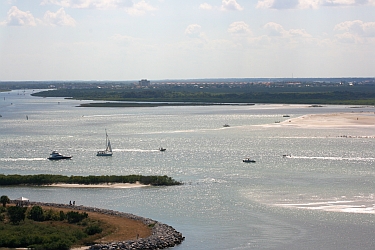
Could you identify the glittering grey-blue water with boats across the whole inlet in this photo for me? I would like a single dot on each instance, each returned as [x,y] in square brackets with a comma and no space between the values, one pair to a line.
[321,198]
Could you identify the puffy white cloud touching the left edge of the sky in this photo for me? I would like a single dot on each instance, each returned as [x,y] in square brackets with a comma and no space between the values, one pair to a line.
[17,17]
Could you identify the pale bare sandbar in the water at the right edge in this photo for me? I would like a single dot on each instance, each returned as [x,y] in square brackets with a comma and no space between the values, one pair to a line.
[332,120]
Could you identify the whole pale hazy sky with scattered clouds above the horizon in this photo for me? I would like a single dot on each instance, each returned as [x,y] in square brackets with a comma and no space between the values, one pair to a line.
[44,40]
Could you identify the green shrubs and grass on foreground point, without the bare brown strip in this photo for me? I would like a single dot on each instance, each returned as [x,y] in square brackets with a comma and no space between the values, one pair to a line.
[47,229]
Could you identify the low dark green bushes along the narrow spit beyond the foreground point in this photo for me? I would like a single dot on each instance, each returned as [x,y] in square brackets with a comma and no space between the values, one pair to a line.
[47,179]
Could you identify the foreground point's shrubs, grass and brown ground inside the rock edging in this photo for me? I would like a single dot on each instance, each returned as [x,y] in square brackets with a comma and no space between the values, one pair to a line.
[53,232]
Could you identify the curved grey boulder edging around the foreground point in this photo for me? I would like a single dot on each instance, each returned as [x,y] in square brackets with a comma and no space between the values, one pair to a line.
[163,236]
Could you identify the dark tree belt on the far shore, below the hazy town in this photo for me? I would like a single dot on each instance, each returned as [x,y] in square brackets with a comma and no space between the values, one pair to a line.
[346,95]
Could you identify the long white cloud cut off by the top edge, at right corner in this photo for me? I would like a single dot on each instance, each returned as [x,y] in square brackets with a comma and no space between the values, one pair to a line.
[309,4]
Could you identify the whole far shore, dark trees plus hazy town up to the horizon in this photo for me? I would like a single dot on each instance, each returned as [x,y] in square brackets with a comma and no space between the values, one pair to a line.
[351,91]
